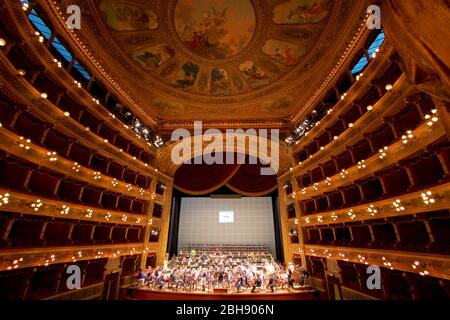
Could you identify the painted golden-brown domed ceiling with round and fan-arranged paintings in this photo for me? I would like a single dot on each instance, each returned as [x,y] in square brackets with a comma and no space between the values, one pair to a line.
[220,59]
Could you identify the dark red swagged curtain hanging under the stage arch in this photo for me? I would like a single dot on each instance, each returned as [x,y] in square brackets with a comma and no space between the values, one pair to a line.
[245,179]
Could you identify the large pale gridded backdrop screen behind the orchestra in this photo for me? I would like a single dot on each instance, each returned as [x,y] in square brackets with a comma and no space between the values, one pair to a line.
[244,221]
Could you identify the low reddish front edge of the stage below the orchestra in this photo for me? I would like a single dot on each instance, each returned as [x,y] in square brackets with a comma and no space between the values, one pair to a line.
[150,294]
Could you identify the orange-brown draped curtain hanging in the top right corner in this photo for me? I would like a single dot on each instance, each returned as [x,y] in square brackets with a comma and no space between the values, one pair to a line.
[420,31]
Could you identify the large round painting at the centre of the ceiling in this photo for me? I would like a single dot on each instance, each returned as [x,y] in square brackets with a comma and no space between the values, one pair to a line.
[215,29]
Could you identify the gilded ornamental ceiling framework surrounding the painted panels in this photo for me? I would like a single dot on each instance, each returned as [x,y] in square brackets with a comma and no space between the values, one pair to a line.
[114,63]
